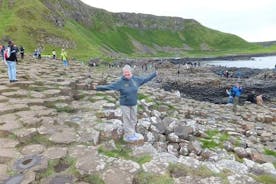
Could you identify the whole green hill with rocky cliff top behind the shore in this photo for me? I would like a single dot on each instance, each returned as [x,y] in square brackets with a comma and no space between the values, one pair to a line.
[89,32]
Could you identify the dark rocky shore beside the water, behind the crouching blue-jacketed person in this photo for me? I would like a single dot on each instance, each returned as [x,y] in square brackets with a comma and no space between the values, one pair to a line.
[208,84]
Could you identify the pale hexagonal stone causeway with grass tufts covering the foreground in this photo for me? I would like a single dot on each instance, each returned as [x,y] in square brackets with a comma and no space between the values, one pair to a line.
[55,129]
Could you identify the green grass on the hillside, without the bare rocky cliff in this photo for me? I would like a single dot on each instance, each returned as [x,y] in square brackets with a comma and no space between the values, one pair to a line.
[25,24]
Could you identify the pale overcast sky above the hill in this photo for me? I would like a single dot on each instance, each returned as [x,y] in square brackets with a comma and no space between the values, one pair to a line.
[253,20]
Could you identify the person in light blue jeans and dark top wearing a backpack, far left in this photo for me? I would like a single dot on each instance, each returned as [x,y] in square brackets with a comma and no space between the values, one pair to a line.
[10,58]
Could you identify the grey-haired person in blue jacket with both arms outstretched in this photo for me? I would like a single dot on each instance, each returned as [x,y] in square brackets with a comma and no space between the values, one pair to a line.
[128,86]
